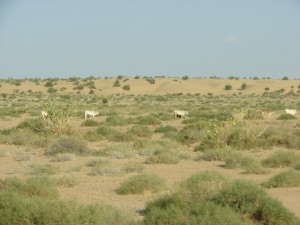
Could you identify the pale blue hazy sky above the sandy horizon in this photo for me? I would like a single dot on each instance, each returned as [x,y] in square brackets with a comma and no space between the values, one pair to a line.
[172,38]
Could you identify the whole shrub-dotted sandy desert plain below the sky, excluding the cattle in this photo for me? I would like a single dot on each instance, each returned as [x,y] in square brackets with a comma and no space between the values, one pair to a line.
[135,163]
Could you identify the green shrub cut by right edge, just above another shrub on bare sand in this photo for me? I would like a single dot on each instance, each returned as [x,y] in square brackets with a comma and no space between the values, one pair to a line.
[282,159]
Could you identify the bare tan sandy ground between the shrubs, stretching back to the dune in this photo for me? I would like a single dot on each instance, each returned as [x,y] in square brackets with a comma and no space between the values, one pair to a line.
[24,101]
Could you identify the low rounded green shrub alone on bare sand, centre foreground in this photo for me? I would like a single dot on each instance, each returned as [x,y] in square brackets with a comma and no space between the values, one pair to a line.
[138,184]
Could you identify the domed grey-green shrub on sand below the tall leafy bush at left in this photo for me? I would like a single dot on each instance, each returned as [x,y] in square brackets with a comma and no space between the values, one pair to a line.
[68,144]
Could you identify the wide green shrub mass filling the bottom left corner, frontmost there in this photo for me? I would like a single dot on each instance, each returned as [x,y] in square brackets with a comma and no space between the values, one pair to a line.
[20,209]
